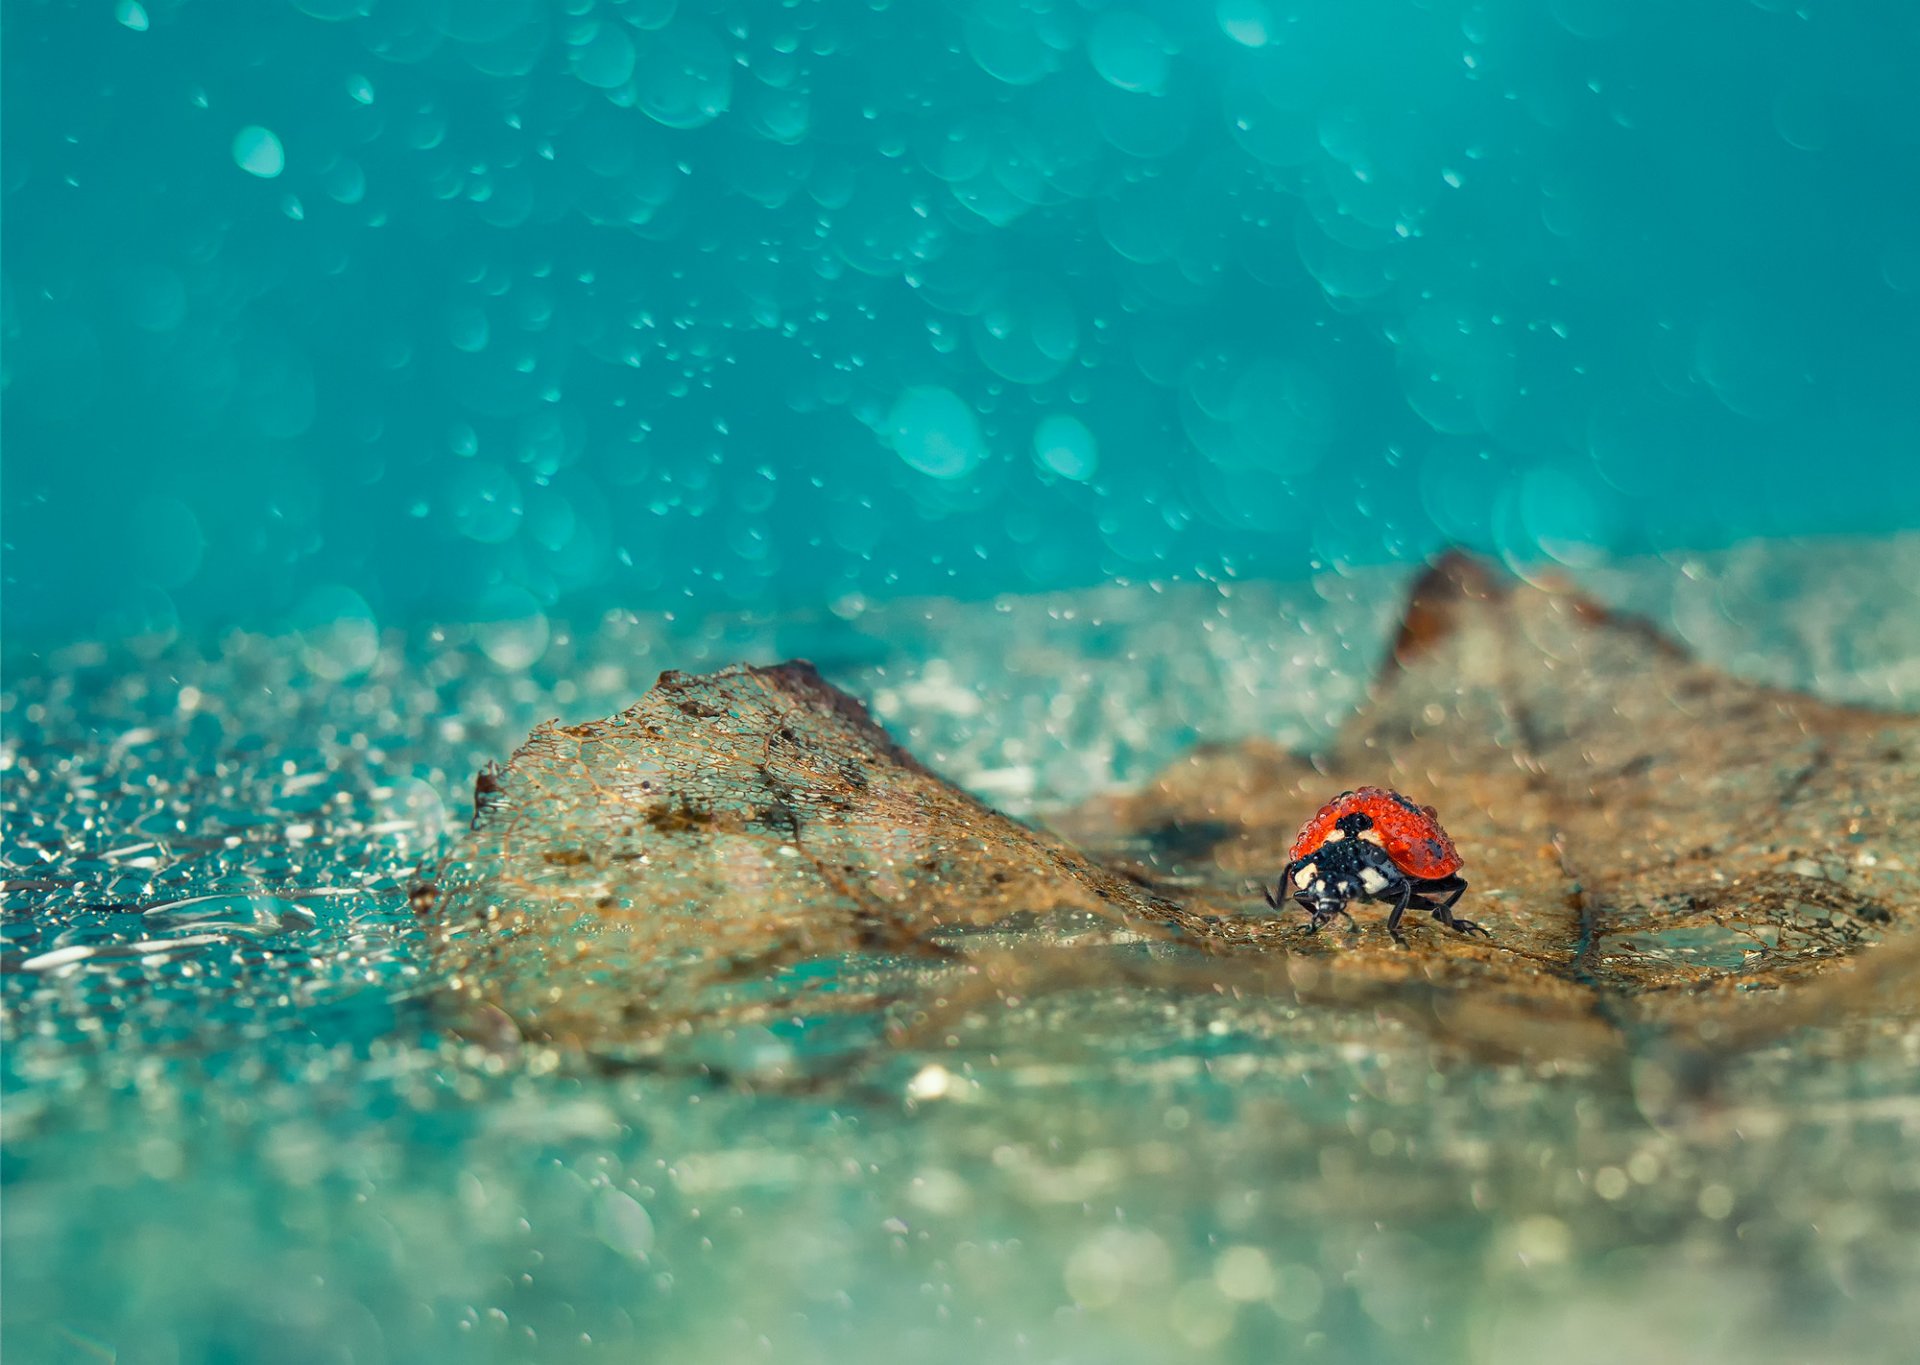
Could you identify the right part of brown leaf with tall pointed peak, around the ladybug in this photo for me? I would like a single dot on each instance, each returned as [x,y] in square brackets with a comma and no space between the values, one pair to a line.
[1654,844]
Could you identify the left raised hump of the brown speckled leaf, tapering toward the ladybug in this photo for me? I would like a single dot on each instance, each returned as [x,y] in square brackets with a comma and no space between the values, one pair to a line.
[736,846]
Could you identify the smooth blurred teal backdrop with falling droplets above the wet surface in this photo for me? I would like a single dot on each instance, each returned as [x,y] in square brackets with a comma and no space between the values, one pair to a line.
[481,308]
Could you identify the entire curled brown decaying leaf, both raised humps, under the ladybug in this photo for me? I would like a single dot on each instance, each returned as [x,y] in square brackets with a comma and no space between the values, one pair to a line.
[1669,859]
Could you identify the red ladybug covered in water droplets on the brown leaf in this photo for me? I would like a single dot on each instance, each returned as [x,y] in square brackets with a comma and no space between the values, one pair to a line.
[1374,846]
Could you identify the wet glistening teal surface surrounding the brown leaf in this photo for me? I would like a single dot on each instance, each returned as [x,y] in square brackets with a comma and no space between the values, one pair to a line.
[235,1130]
